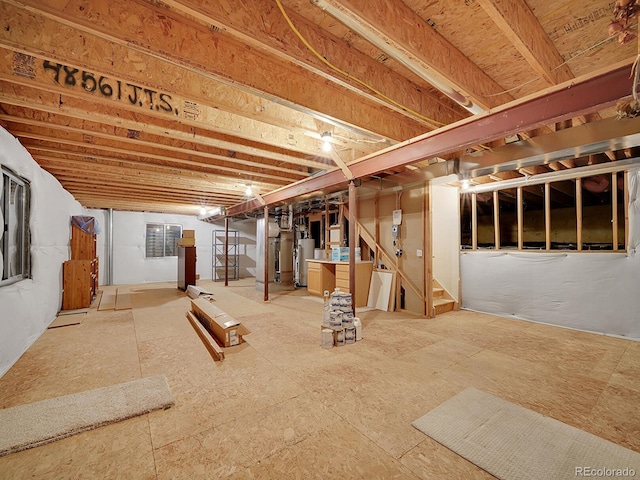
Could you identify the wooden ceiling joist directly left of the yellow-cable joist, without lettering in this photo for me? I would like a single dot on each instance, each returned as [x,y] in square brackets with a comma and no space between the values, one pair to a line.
[216,56]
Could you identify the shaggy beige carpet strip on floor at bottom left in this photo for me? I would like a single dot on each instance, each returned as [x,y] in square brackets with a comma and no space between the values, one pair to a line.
[38,423]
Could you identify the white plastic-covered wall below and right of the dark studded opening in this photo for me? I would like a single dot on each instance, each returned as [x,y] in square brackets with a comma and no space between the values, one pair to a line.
[597,292]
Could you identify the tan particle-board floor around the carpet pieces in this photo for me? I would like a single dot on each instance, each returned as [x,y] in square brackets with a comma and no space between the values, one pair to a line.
[279,406]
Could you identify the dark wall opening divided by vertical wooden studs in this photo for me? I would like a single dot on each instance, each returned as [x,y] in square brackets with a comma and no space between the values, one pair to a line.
[587,213]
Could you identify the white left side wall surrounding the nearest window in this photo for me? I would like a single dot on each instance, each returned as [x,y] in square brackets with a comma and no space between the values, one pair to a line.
[29,306]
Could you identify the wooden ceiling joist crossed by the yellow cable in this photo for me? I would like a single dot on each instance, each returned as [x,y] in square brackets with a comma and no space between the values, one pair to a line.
[265,27]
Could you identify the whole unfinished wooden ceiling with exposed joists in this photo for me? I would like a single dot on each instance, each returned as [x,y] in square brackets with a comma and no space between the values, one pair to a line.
[172,106]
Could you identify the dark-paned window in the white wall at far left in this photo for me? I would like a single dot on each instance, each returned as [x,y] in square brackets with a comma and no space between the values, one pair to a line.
[14,236]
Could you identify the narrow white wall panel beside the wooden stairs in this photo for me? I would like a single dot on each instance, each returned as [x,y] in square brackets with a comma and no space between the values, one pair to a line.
[445,228]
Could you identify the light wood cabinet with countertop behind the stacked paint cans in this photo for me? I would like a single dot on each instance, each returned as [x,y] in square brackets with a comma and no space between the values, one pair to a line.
[325,275]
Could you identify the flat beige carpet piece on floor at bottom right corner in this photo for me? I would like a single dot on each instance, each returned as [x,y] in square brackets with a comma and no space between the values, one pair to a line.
[514,443]
